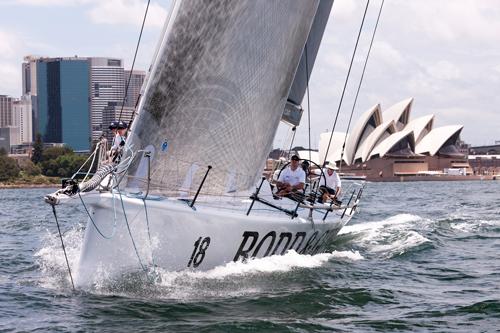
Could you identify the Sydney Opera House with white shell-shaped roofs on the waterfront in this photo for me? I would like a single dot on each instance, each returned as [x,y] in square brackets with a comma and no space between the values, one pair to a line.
[389,145]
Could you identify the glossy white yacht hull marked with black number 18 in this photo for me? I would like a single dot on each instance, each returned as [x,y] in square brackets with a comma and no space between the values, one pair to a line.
[185,238]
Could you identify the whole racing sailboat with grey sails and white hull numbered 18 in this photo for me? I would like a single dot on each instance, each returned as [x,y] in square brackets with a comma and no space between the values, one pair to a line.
[188,192]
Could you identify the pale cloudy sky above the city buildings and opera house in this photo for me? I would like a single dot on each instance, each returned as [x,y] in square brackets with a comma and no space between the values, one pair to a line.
[445,54]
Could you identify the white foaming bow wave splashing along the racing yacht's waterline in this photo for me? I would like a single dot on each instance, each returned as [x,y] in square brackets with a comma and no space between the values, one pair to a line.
[234,278]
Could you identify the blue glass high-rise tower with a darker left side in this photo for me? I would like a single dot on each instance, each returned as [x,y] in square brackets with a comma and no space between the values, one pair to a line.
[63,95]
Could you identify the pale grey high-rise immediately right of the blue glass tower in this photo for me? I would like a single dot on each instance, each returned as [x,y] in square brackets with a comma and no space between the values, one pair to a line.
[106,86]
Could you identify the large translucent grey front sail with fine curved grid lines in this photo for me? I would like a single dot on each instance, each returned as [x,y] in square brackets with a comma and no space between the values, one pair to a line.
[216,92]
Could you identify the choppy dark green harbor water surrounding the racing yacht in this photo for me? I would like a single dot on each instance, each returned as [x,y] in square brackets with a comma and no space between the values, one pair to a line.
[419,257]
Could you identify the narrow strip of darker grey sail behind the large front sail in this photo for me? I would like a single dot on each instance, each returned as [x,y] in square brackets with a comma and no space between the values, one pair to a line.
[293,111]
